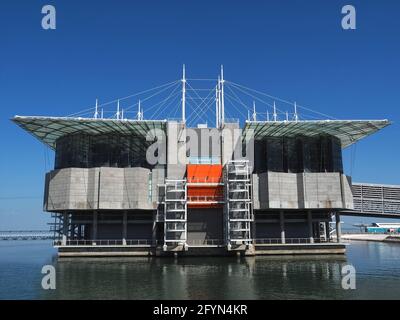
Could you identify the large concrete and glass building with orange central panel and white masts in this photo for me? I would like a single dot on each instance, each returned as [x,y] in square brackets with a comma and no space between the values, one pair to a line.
[276,195]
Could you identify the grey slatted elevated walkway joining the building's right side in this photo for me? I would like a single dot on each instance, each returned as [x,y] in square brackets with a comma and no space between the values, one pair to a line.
[375,200]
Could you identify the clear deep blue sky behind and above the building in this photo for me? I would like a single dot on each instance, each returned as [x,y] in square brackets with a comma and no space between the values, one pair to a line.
[296,50]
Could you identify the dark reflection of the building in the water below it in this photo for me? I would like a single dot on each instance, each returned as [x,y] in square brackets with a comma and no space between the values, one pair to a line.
[262,277]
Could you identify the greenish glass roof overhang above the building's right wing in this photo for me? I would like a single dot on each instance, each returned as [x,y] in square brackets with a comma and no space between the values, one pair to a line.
[348,131]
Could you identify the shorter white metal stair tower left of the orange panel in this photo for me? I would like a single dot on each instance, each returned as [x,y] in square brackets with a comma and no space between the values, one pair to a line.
[175,215]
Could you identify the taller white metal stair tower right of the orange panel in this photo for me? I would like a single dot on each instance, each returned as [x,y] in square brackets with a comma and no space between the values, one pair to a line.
[238,213]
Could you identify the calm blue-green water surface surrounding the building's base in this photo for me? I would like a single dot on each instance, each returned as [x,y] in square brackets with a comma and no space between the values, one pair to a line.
[309,277]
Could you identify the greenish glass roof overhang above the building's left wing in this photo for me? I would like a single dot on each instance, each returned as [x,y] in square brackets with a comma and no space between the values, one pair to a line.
[49,129]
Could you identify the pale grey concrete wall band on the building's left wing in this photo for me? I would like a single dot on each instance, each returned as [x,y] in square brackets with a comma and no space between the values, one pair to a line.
[99,188]
